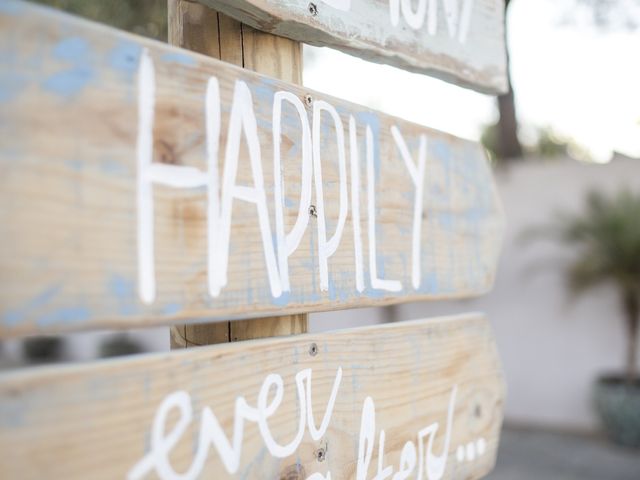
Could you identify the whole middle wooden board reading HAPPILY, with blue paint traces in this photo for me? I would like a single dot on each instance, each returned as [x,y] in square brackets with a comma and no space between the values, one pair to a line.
[131,193]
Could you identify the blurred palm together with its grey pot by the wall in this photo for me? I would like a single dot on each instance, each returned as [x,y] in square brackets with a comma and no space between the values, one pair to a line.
[606,238]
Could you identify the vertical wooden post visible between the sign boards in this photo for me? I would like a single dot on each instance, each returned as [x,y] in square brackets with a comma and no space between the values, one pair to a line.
[201,29]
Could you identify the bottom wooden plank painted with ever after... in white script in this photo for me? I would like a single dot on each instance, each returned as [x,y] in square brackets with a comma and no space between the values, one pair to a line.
[433,387]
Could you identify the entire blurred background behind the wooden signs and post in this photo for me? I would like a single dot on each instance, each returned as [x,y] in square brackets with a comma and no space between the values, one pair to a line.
[565,145]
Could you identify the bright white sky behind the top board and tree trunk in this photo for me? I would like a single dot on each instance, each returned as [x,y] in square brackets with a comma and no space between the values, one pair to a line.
[580,81]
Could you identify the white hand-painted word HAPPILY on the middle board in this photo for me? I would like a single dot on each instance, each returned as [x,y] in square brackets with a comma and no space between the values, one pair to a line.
[222,189]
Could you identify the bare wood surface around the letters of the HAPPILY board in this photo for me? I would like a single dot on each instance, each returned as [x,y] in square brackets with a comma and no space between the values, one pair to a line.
[68,173]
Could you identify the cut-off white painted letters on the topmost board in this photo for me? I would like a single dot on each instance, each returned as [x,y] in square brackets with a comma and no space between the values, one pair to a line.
[458,17]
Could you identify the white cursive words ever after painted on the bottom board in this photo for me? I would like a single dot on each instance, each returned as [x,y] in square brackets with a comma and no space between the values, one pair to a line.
[428,464]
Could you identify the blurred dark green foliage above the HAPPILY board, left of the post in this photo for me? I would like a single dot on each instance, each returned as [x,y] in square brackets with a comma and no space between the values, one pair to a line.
[144,17]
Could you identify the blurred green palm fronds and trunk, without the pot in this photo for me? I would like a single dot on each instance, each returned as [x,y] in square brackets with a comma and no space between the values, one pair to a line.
[606,237]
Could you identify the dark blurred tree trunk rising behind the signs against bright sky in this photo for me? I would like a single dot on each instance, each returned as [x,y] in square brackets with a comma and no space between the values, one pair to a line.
[508,147]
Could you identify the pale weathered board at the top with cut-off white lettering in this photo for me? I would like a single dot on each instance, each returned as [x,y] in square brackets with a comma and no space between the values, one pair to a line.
[461,41]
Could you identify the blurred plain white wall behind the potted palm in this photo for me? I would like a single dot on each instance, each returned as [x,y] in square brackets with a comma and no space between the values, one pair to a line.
[551,347]
